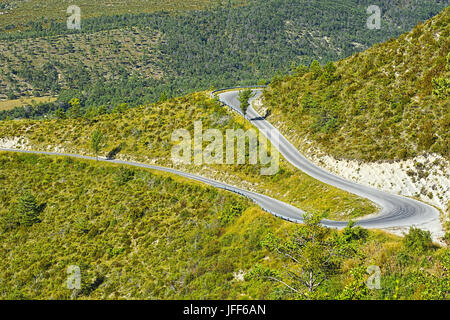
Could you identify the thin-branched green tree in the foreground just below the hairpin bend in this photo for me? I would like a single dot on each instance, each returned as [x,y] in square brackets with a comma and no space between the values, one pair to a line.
[313,253]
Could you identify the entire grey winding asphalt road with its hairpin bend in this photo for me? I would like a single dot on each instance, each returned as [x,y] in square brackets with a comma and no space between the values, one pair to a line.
[396,211]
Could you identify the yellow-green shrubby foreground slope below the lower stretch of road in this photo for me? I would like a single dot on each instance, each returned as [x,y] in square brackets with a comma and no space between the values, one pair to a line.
[161,237]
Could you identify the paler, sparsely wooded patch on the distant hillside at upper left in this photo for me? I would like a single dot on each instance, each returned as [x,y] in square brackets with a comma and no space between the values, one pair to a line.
[98,52]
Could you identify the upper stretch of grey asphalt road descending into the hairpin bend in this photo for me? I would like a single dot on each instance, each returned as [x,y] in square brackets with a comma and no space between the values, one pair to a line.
[396,211]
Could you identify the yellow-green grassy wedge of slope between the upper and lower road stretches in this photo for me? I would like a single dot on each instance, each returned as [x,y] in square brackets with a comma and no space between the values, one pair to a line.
[145,135]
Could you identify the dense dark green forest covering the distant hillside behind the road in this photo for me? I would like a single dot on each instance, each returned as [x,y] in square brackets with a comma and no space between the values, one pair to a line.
[136,58]
